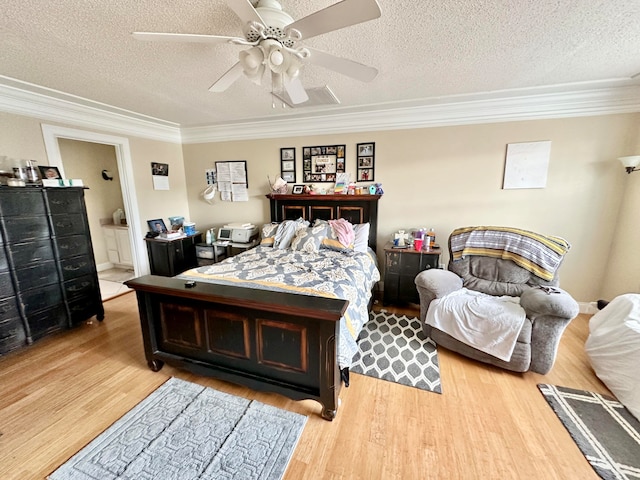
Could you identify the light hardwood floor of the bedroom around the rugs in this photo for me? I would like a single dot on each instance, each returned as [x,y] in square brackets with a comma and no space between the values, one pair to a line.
[60,393]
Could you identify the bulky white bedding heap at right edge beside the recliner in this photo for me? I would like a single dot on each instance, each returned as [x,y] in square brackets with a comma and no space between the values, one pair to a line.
[613,347]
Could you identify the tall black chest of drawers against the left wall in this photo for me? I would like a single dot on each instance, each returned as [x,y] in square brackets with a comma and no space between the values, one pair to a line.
[48,264]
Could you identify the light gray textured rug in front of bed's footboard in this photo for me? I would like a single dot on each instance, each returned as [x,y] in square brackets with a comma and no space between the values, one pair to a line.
[185,431]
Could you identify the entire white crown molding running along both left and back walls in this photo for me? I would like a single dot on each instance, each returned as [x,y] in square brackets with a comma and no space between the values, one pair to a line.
[493,107]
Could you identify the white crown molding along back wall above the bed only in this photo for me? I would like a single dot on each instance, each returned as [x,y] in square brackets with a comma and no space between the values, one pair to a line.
[445,111]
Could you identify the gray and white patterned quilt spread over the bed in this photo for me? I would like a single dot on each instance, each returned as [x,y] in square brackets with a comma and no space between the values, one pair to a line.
[327,273]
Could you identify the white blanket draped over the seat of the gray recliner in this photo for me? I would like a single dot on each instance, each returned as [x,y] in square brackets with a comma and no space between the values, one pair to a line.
[487,323]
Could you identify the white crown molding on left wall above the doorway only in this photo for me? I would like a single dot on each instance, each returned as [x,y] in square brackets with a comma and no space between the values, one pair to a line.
[84,113]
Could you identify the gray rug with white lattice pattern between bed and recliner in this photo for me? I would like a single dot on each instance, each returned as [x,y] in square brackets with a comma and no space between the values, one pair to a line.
[395,349]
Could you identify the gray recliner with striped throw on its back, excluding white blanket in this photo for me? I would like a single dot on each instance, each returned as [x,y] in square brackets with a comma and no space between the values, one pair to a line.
[501,261]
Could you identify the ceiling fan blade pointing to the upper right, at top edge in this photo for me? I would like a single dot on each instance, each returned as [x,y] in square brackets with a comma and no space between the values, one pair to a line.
[340,15]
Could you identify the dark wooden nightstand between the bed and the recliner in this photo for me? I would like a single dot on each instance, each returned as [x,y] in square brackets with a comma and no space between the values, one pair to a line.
[401,268]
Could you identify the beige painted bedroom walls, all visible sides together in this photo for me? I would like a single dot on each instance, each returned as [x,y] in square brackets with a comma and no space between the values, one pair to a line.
[434,177]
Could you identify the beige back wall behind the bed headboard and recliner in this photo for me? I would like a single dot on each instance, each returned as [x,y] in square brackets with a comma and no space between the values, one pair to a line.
[452,176]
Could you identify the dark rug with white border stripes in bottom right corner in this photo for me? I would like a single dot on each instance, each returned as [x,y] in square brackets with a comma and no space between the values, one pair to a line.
[607,434]
